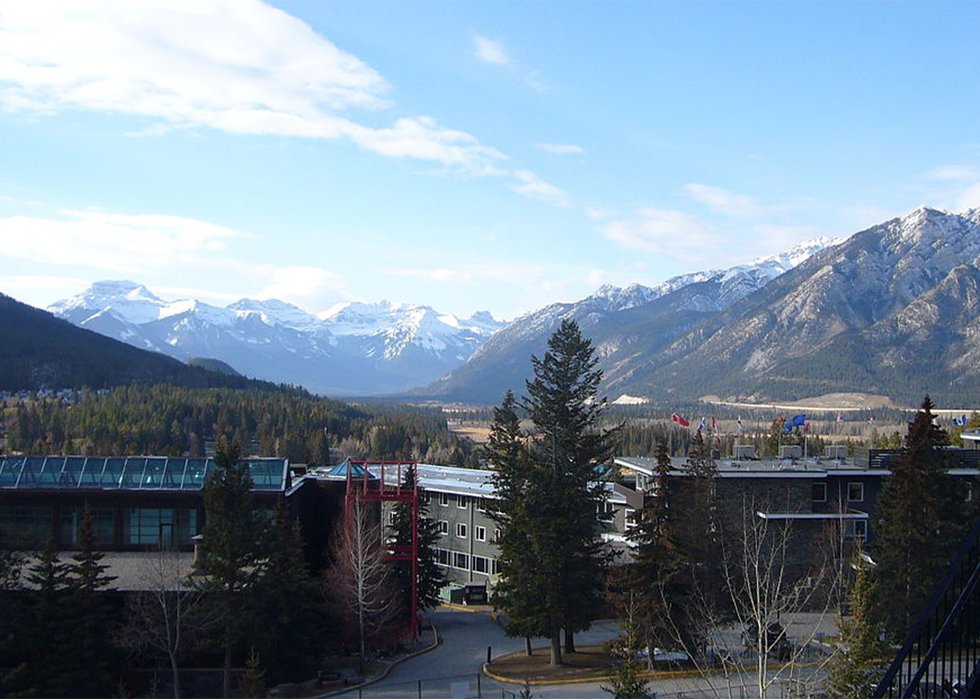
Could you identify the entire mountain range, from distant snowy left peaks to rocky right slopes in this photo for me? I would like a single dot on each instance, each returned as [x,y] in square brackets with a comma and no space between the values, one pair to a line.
[894,310]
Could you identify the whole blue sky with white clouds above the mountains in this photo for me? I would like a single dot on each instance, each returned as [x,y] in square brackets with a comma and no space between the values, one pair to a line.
[467,156]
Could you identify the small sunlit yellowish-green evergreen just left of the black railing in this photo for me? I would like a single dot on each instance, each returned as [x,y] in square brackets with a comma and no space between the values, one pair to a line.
[857,662]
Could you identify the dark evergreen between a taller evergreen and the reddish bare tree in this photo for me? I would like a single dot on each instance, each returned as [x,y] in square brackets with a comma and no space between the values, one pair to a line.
[288,615]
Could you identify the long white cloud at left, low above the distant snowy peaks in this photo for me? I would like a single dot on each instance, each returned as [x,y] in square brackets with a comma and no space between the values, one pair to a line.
[122,243]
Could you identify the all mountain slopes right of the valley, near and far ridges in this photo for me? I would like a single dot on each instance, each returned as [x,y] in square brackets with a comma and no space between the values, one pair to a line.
[893,310]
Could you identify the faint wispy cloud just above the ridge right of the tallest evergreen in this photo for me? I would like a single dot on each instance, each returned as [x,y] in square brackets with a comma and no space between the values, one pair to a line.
[672,233]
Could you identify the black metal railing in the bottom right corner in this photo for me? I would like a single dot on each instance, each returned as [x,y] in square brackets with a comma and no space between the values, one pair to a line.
[941,655]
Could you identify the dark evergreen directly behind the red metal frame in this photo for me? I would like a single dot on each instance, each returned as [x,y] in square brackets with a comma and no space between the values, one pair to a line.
[430,575]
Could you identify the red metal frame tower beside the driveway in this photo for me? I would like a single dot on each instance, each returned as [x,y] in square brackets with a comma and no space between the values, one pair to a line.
[384,481]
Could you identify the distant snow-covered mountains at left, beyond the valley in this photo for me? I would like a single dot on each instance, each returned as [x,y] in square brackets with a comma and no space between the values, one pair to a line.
[354,349]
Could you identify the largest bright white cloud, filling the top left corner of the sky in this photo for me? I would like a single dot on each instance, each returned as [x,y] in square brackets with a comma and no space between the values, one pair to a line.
[238,66]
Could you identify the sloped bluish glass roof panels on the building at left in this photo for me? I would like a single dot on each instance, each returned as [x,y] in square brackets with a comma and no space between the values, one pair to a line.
[127,473]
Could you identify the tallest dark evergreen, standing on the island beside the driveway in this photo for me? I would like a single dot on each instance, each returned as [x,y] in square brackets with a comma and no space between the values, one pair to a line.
[562,494]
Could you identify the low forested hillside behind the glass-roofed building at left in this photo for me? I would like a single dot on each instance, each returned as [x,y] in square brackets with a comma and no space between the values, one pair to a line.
[168,420]
